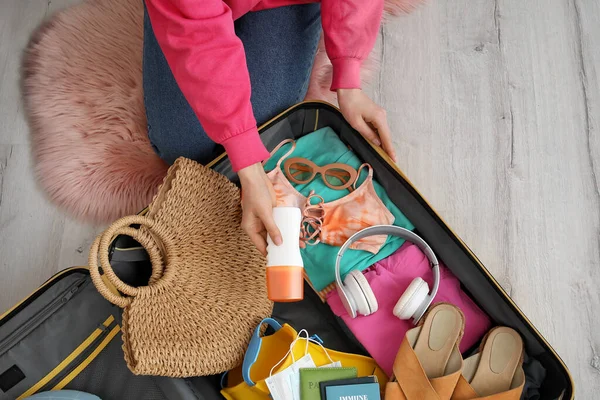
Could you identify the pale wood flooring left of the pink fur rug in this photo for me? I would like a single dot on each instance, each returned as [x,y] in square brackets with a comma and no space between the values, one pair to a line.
[36,240]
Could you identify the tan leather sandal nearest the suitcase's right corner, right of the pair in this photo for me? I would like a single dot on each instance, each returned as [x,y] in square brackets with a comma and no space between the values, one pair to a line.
[496,372]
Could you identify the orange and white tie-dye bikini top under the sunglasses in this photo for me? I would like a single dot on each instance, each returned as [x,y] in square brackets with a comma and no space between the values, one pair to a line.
[334,222]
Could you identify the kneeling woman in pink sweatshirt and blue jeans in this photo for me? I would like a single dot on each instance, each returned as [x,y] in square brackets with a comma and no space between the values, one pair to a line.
[213,68]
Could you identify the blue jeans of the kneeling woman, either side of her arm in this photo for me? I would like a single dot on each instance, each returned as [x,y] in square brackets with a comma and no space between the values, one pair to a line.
[280,46]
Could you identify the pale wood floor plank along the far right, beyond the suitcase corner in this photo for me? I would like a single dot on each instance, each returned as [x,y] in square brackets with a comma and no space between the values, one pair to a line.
[555,205]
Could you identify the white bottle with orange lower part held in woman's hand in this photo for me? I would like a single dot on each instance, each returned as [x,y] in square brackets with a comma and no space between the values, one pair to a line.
[285,269]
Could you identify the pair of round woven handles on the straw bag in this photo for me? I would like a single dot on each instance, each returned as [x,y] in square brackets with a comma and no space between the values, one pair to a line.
[100,250]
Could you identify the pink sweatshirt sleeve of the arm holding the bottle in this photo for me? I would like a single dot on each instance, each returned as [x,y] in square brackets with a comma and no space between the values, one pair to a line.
[209,64]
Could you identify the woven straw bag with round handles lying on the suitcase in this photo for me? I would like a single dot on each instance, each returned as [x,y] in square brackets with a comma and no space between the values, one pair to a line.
[207,291]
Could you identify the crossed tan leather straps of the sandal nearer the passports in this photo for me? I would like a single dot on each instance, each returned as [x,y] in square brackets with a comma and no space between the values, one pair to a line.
[411,382]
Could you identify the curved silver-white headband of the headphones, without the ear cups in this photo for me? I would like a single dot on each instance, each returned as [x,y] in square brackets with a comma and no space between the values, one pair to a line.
[406,235]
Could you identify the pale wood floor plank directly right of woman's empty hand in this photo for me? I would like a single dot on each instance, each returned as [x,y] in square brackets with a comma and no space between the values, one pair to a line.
[444,92]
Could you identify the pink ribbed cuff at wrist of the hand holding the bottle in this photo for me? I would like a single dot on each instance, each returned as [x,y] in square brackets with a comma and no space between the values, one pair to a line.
[245,149]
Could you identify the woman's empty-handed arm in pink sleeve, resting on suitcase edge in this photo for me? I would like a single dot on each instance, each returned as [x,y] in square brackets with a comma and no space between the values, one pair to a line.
[351,28]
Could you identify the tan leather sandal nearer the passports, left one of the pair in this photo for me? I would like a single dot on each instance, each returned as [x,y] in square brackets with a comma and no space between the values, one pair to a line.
[429,364]
